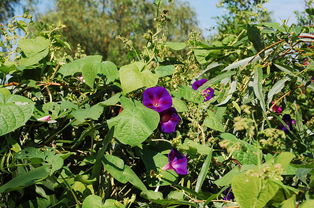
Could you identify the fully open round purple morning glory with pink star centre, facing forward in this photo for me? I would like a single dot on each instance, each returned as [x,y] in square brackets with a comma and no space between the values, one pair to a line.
[157,98]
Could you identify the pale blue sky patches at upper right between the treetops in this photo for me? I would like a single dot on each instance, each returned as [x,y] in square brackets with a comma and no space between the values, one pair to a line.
[281,9]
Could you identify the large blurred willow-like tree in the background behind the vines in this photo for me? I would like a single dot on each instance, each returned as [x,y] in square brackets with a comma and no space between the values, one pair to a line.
[100,26]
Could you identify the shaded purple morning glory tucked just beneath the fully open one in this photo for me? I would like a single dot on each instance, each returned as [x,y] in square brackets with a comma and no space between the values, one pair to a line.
[169,119]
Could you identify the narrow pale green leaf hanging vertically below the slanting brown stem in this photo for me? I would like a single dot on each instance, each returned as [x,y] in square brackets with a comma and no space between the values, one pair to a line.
[257,87]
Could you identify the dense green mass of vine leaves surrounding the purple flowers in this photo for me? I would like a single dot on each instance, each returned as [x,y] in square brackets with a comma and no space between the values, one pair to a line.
[99,146]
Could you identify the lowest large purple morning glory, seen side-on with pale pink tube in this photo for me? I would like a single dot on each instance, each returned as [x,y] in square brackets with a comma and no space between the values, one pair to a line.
[177,161]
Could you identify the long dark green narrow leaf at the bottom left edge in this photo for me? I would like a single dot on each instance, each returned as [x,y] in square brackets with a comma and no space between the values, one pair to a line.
[26,179]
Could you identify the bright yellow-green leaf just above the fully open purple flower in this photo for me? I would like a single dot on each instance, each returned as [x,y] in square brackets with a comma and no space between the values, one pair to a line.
[132,77]
